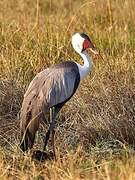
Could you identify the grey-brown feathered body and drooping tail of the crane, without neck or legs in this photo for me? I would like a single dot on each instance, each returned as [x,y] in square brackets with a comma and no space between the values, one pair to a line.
[50,88]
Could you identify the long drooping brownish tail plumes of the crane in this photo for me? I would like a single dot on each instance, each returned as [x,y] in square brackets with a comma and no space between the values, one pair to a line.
[33,109]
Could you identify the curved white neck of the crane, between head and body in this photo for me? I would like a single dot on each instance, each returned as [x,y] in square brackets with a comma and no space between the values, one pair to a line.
[86,67]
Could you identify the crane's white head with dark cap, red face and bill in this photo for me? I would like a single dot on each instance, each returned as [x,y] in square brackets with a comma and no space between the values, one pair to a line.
[81,42]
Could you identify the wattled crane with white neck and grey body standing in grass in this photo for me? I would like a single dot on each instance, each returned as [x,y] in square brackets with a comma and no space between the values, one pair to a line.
[51,89]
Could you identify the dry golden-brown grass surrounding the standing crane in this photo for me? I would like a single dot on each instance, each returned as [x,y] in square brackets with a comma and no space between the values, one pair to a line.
[96,129]
